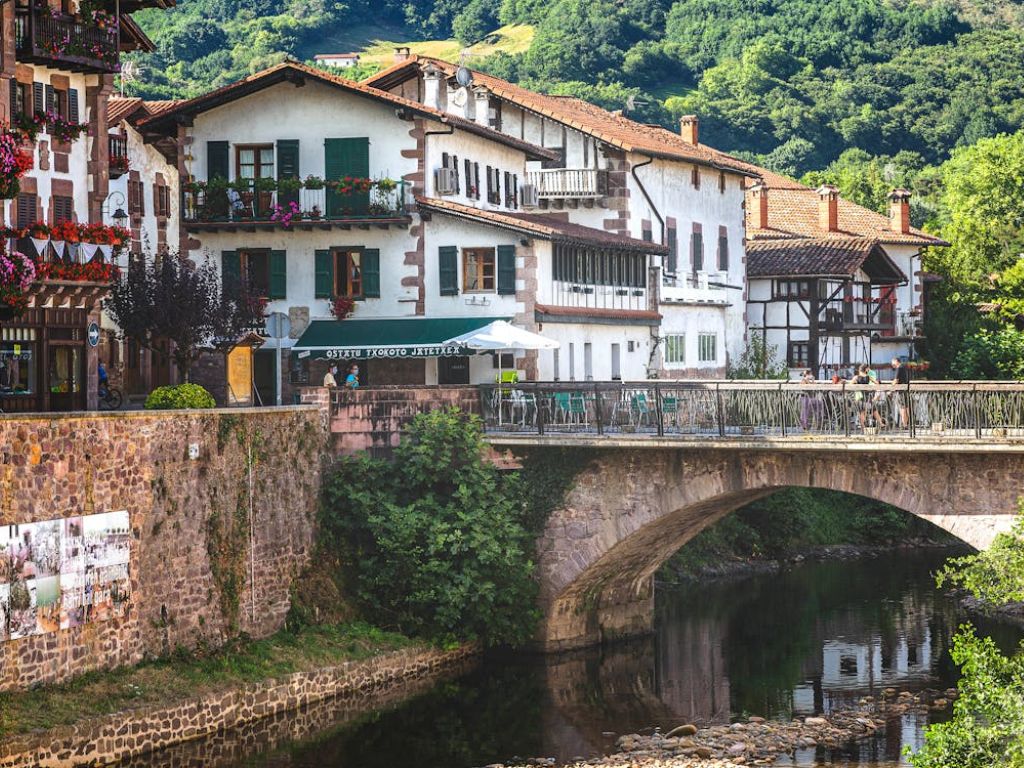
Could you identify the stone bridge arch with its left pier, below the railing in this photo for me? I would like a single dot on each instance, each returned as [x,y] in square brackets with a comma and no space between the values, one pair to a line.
[632,509]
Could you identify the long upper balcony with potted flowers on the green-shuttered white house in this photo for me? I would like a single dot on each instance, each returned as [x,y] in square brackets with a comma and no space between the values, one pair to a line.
[220,206]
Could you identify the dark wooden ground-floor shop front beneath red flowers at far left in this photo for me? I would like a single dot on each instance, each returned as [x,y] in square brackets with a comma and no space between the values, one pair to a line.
[49,355]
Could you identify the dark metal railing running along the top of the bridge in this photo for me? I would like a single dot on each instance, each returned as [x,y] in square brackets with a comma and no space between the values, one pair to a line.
[758,409]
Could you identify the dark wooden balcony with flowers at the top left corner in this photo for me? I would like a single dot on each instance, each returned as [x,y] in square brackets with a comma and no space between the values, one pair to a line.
[50,38]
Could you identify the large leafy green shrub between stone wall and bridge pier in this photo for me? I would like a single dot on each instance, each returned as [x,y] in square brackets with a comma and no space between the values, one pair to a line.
[435,542]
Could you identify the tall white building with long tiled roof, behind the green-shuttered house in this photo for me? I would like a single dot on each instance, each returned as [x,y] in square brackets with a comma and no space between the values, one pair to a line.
[615,175]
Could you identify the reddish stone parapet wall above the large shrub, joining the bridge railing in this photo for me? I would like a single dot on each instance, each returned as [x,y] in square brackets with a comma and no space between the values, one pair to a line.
[372,419]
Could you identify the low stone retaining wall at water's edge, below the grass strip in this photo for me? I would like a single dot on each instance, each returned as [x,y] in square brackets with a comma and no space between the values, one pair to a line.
[130,735]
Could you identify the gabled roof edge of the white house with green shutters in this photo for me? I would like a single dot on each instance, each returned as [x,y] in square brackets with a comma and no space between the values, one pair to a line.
[294,71]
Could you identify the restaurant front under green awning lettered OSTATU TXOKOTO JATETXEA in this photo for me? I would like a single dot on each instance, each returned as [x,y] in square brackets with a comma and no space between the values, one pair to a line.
[394,353]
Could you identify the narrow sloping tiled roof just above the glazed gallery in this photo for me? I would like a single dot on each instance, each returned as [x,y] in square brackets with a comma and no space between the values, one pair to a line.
[541,226]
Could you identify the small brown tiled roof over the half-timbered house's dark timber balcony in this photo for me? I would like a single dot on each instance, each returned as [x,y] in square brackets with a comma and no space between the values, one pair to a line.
[821,259]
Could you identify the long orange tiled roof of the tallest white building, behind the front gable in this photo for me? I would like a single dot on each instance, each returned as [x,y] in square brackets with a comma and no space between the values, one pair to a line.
[575,113]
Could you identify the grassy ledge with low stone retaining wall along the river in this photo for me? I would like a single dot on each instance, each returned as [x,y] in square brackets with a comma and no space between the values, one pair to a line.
[115,716]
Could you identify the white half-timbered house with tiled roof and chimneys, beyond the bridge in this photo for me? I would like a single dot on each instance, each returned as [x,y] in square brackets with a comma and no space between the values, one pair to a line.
[833,284]
